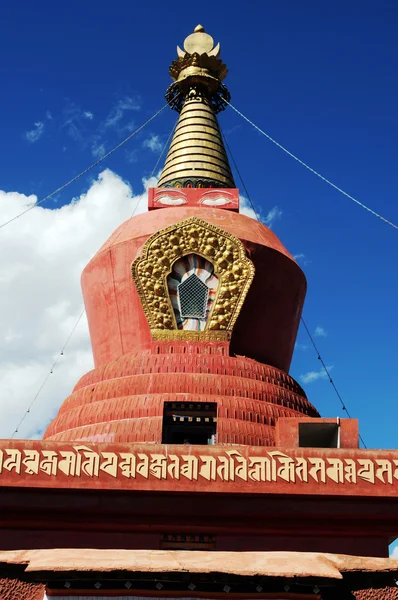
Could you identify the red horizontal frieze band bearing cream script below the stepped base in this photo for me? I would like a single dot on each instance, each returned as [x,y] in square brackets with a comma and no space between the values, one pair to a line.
[196,469]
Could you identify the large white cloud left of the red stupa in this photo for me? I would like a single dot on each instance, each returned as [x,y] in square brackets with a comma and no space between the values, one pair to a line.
[43,254]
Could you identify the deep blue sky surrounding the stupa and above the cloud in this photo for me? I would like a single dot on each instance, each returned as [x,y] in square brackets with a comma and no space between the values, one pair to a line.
[318,77]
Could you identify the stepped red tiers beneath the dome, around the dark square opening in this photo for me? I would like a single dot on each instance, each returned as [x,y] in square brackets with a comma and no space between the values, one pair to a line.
[123,401]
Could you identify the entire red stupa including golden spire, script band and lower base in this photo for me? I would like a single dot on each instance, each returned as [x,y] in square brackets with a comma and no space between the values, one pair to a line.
[189,462]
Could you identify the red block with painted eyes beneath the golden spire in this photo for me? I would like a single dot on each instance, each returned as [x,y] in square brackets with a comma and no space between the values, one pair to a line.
[226,199]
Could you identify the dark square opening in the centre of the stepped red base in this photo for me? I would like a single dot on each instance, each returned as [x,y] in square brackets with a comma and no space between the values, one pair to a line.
[191,423]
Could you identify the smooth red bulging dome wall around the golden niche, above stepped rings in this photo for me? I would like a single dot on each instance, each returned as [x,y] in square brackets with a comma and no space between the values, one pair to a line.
[267,326]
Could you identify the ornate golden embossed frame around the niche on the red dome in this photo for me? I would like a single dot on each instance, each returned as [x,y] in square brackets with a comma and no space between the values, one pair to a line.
[231,265]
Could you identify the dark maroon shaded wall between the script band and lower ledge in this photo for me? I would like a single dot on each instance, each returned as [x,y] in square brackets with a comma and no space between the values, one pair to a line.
[35,517]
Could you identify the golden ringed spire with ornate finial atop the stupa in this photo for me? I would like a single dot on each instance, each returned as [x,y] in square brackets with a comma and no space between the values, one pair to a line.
[197,156]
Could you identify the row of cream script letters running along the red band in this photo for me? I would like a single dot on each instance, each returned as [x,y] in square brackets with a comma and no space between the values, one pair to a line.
[226,466]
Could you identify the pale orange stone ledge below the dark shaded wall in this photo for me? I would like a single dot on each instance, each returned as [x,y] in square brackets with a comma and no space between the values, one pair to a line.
[248,564]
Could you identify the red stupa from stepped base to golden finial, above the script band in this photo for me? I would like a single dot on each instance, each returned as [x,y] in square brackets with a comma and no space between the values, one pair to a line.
[237,360]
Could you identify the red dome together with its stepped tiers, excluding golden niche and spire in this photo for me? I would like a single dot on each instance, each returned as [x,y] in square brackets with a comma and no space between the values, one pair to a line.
[123,398]
